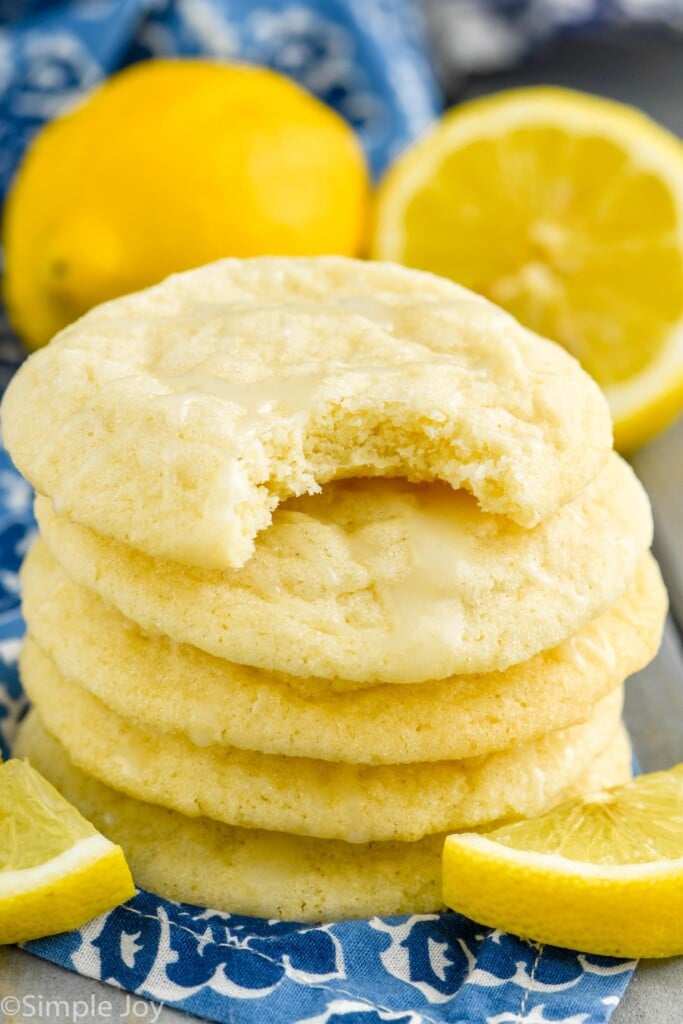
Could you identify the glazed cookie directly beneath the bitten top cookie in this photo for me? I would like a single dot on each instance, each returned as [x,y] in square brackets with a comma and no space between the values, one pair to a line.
[382,581]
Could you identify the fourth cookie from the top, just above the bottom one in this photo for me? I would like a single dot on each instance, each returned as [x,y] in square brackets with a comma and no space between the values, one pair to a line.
[355,803]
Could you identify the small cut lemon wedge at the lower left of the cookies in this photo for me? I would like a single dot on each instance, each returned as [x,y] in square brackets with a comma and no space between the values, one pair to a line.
[57,872]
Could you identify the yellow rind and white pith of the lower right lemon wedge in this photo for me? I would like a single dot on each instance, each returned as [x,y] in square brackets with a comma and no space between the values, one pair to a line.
[629,911]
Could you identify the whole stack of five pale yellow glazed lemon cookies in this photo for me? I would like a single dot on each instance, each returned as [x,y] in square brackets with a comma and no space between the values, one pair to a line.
[335,559]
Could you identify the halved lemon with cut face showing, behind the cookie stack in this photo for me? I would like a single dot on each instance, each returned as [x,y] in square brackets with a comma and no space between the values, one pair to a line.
[568,210]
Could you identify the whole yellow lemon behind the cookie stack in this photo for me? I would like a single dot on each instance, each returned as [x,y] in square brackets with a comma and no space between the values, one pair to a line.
[168,165]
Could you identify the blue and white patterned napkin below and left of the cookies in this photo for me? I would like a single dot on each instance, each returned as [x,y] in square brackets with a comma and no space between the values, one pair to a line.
[424,969]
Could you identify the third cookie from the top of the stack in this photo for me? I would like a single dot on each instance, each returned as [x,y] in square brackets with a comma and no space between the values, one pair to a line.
[154,682]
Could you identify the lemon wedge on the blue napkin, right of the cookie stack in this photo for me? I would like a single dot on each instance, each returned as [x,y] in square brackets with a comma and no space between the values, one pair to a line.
[604,875]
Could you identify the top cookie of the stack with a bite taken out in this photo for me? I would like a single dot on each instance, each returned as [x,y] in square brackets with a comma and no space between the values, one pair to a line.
[178,419]
